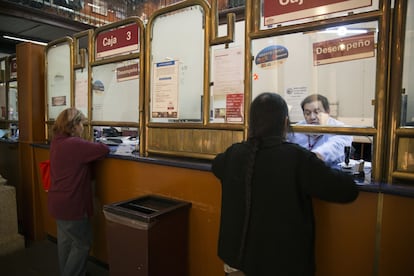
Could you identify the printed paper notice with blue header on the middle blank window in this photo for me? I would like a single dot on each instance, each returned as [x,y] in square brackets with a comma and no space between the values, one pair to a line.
[164,96]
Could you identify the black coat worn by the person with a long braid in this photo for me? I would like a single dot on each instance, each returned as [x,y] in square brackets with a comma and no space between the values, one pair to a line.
[280,232]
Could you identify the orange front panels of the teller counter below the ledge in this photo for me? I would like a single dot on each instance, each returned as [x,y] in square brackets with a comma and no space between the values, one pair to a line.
[351,239]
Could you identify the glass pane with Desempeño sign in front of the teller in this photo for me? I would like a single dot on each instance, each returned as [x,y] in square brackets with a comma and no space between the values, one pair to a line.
[338,63]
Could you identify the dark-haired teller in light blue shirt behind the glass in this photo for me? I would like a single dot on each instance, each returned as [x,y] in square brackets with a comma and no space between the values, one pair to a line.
[328,147]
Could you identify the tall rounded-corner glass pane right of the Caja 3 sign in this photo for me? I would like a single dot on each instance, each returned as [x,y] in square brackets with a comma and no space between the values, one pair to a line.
[177,66]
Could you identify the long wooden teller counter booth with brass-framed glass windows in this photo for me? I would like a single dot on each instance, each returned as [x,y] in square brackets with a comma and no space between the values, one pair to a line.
[177,93]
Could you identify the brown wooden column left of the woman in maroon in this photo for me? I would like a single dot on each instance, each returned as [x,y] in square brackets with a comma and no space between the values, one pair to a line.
[31,103]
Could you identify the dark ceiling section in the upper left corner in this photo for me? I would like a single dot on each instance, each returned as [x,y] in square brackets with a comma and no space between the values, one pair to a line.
[31,23]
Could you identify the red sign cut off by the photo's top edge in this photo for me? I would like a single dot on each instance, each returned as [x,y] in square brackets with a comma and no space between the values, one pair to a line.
[277,11]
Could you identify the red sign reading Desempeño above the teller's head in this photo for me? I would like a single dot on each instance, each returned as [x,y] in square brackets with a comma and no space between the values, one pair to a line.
[343,49]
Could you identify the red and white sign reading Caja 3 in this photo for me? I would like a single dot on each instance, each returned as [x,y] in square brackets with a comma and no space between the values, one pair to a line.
[122,40]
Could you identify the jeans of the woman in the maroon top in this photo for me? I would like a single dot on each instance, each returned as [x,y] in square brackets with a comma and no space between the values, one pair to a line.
[74,240]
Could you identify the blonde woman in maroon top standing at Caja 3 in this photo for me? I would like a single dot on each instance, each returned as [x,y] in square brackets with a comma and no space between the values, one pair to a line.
[70,193]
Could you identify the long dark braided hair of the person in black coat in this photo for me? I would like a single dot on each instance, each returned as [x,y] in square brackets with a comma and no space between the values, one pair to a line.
[268,118]
